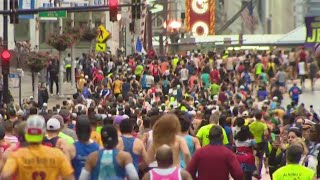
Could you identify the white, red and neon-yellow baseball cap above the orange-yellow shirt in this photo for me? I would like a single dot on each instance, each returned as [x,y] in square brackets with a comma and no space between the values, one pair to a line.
[35,129]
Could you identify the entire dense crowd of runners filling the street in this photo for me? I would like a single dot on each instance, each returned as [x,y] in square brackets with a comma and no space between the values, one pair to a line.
[203,116]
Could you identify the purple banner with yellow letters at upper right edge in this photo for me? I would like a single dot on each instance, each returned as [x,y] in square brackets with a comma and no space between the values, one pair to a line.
[313,31]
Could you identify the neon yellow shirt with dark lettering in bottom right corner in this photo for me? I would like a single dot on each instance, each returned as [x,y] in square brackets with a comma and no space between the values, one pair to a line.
[293,172]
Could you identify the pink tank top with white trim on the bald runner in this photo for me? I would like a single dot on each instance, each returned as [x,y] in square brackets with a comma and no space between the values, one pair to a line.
[162,174]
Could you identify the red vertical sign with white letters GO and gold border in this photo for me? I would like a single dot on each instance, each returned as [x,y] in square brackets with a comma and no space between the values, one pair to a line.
[200,18]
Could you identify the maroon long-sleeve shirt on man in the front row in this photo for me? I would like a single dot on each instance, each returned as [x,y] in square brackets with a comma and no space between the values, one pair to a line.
[215,162]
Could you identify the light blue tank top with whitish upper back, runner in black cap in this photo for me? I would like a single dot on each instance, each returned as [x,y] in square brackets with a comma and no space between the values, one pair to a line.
[107,166]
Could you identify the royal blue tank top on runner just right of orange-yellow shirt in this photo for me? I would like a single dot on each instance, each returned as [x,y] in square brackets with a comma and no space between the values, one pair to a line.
[82,152]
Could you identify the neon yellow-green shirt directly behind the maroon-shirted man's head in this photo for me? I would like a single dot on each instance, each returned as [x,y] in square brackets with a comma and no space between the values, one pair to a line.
[203,135]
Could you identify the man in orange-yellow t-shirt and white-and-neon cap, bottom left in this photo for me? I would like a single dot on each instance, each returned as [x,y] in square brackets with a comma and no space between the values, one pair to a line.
[53,163]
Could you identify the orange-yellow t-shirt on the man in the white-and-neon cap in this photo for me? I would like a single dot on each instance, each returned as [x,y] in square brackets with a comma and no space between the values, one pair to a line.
[38,162]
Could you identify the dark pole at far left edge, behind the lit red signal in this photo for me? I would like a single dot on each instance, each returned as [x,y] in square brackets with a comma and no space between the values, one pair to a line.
[6,70]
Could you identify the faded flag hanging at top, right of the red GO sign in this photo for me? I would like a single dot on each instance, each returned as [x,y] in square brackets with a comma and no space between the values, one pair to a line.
[248,17]
